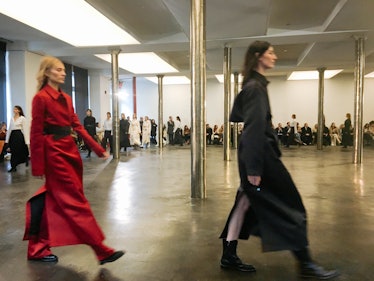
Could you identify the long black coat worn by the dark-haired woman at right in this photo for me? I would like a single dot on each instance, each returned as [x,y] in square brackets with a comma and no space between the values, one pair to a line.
[276,212]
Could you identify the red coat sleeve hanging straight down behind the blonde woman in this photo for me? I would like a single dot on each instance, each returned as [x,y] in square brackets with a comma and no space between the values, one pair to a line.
[37,137]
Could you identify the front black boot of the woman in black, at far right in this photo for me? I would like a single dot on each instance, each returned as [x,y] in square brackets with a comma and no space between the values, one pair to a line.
[309,269]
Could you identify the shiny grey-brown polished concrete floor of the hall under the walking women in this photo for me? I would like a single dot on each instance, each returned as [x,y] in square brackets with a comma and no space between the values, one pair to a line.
[143,204]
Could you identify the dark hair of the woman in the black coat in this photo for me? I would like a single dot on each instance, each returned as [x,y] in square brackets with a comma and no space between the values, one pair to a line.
[255,50]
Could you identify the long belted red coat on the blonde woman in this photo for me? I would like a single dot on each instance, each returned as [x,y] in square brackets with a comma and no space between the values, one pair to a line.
[69,216]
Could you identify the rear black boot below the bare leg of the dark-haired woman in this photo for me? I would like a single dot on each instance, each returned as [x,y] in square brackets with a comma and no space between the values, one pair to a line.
[230,260]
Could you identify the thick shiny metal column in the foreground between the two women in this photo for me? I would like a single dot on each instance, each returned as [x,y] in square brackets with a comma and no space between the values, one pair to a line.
[198,92]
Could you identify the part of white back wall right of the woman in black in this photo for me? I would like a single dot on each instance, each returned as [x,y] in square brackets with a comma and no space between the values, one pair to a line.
[301,98]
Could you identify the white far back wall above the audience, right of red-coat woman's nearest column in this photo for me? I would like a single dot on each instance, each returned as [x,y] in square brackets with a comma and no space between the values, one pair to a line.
[286,98]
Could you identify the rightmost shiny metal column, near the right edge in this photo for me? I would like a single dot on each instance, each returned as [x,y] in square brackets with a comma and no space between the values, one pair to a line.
[359,94]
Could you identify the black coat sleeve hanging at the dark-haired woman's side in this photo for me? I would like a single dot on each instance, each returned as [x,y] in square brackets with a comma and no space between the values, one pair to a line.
[254,137]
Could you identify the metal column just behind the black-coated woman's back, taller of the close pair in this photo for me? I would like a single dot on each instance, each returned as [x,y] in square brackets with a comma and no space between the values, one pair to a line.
[226,102]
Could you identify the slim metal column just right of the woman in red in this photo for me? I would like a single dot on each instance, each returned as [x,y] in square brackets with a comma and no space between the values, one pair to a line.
[115,117]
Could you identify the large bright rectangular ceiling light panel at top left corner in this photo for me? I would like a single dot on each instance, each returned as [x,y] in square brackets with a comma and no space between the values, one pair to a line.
[80,26]
